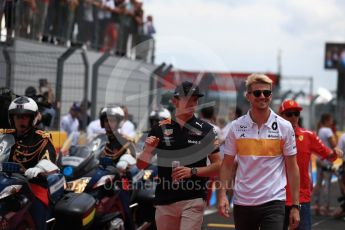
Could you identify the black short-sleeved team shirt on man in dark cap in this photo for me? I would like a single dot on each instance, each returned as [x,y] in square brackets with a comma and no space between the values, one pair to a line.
[190,144]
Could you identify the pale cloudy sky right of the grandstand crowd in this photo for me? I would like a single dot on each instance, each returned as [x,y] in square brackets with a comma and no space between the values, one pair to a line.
[246,35]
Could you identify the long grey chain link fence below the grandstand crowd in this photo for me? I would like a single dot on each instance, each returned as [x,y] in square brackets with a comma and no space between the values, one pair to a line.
[75,75]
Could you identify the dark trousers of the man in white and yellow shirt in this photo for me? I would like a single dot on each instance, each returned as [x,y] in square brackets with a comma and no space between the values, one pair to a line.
[268,216]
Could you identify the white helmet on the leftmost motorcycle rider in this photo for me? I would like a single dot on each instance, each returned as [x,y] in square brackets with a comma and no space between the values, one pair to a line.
[23,105]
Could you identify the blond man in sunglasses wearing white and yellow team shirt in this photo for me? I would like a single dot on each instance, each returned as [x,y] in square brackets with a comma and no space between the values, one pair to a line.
[265,146]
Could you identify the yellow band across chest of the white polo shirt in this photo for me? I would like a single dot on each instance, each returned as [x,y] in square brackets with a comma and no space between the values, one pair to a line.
[259,147]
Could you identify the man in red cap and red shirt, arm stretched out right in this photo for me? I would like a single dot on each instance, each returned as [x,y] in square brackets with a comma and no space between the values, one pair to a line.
[307,143]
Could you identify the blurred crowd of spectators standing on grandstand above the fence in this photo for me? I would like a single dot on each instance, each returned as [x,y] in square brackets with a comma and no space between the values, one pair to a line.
[105,25]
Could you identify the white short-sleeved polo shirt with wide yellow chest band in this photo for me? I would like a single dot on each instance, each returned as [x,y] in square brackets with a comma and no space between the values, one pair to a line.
[261,175]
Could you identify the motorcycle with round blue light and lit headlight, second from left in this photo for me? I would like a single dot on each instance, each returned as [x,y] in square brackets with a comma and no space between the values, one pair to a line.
[85,173]
